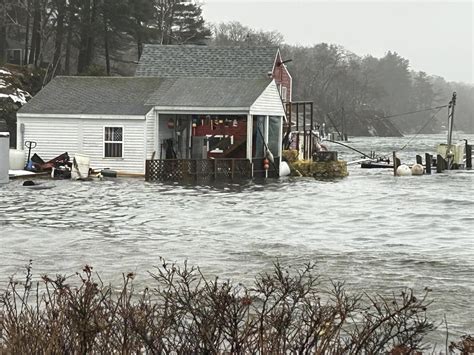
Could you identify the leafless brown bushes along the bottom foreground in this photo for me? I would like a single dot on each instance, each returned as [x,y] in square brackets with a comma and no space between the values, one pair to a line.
[283,312]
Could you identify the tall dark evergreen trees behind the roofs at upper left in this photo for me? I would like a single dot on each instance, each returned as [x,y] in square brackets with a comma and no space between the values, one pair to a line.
[82,36]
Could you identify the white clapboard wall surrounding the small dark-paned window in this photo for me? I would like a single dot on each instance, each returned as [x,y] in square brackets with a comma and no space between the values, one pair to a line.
[86,136]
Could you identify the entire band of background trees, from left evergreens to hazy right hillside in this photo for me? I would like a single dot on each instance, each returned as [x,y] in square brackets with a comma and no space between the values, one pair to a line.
[106,37]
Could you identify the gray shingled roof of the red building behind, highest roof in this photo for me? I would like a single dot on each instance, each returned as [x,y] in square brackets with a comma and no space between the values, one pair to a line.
[206,61]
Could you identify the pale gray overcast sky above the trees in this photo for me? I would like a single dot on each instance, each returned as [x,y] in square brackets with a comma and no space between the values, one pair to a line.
[436,36]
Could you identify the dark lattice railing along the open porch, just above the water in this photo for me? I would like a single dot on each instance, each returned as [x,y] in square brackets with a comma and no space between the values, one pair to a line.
[198,170]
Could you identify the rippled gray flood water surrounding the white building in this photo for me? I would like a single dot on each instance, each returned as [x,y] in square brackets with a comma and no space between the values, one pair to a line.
[377,232]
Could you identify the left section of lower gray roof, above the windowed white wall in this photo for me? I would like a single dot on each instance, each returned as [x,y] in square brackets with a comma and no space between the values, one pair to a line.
[93,95]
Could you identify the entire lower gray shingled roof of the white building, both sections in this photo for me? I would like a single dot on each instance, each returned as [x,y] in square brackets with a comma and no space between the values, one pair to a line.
[136,96]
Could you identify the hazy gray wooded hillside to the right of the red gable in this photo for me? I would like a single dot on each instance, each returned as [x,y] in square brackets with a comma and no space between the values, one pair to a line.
[333,78]
